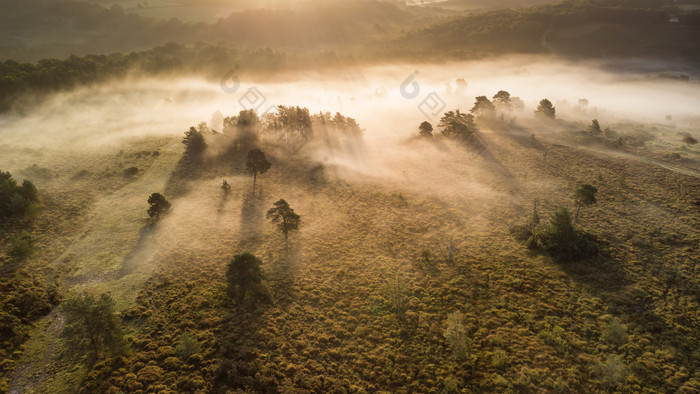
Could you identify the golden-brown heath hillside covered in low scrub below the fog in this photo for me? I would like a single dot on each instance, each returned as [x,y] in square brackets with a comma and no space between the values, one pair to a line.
[356,307]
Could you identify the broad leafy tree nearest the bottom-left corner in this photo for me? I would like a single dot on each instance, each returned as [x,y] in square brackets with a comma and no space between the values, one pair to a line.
[92,324]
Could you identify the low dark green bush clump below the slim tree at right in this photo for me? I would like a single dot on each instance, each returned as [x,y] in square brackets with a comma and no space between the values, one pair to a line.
[561,239]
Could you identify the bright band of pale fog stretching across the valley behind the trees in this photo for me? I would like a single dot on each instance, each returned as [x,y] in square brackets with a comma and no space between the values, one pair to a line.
[103,115]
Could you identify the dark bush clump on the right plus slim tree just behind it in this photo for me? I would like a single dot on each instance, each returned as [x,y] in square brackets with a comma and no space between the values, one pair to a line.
[560,238]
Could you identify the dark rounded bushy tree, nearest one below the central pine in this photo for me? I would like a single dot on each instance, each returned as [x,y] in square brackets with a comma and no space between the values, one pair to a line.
[244,274]
